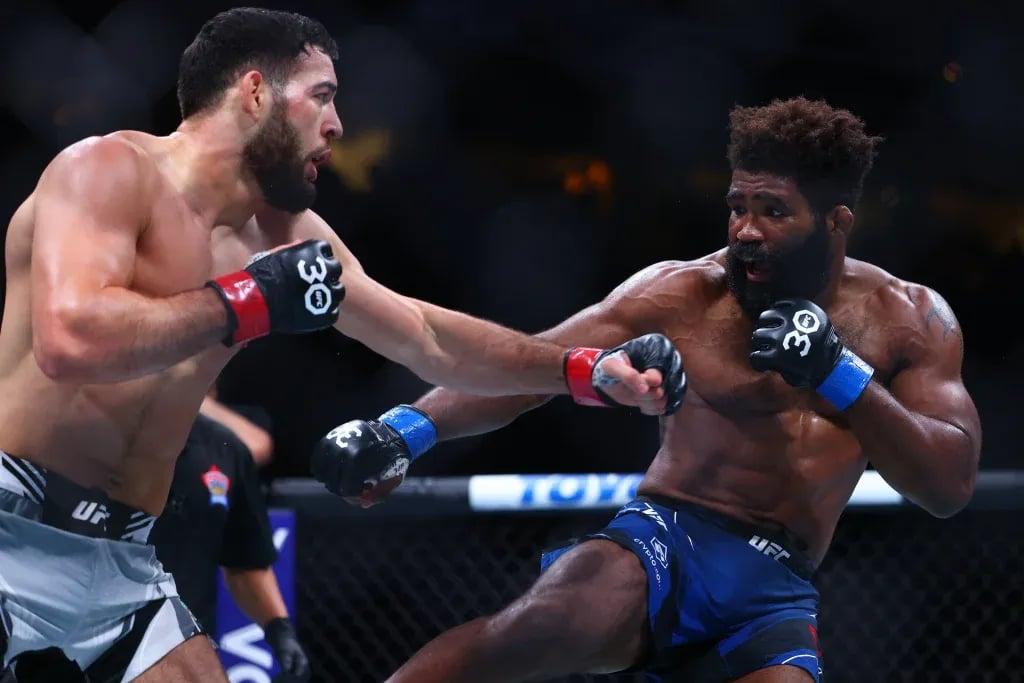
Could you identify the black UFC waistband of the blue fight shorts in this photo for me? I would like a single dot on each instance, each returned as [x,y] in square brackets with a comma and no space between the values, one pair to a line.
[778,543]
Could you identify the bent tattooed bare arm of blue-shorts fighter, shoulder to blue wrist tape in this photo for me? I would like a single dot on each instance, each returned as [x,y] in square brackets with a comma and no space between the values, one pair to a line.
[924,435]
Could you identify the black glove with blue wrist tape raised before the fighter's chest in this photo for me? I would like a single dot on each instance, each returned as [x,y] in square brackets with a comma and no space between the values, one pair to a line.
[796,339]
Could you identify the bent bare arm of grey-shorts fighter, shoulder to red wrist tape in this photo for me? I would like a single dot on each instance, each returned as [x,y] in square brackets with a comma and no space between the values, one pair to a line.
[89,327]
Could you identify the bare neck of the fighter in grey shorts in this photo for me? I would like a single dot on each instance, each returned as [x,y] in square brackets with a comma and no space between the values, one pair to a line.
[207,156]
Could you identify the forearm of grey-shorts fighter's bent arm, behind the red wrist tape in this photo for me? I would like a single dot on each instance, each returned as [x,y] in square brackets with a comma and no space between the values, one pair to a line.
[118,335]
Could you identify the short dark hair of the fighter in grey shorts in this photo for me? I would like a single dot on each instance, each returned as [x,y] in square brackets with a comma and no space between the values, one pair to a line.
[240,39]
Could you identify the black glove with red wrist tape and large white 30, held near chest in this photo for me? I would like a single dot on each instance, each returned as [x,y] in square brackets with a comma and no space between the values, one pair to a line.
[292,290]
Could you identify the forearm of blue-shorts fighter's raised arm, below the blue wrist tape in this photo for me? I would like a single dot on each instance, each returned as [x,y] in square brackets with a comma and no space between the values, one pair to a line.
[931,462]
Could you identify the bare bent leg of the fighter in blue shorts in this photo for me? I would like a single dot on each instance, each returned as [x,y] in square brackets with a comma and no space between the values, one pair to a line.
[588,613]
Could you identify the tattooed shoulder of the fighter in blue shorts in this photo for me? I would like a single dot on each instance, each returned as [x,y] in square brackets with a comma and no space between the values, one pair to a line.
[921,320]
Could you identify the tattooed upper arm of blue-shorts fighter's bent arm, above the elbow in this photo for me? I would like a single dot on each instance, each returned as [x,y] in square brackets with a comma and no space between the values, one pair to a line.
[930,383]
